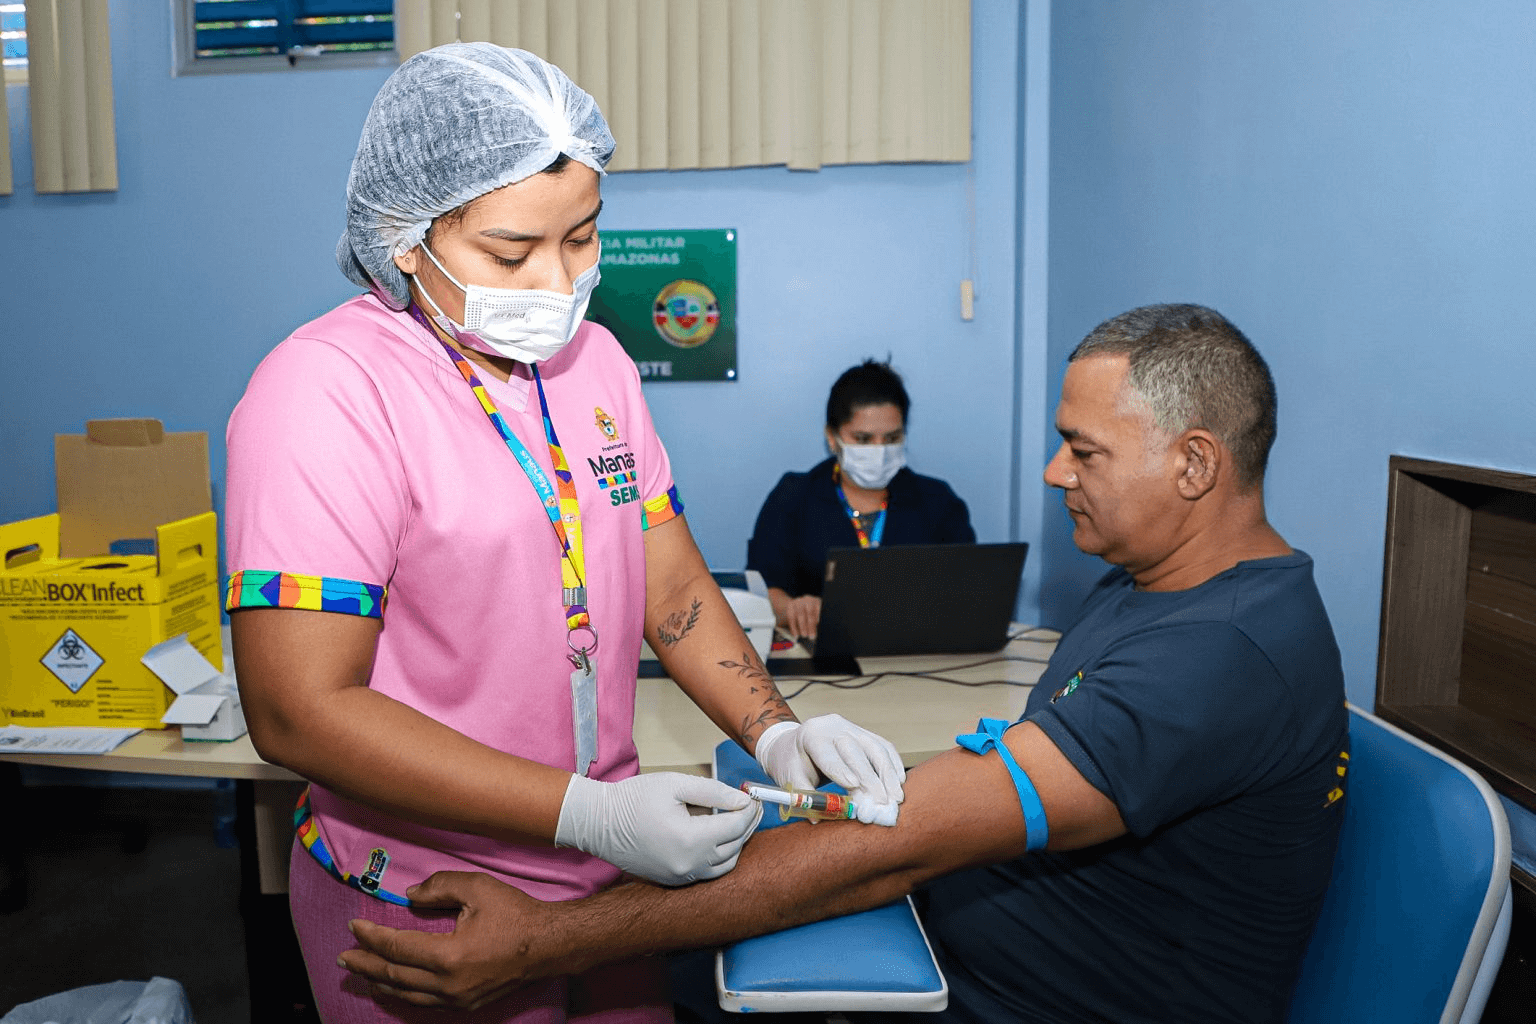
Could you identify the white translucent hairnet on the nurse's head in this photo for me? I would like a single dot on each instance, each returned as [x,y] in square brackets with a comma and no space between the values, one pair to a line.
[451,125]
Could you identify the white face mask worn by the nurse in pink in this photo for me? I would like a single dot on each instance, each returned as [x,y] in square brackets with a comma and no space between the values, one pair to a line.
[523,325]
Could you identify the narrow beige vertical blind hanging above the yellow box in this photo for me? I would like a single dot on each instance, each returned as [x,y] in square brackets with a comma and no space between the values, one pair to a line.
[70,81]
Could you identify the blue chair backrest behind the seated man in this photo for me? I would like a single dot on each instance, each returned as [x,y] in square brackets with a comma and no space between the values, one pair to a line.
[1418,876]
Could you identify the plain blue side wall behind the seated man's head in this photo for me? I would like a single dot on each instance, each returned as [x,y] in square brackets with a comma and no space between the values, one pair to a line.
[1352,187]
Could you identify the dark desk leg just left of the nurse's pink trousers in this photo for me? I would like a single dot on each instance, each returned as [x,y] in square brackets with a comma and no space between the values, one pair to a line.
[279,983]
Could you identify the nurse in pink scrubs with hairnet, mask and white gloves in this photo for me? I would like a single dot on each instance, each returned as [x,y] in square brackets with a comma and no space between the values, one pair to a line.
[449,526]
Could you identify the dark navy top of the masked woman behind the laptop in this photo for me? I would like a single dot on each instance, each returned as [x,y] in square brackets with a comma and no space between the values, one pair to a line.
[804,518]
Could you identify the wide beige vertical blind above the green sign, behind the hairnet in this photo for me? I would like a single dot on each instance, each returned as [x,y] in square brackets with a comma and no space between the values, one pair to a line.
[737,84]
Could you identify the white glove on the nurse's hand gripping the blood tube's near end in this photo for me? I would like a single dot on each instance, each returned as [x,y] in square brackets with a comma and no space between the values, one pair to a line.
[643,825]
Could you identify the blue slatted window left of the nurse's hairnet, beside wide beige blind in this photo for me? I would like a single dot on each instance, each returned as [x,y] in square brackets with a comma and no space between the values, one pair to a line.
[254,28]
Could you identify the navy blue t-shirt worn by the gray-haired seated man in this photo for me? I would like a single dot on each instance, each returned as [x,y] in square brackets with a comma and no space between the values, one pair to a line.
[1214,719]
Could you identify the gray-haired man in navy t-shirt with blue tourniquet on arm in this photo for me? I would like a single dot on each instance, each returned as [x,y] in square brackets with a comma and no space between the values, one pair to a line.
[1150,842]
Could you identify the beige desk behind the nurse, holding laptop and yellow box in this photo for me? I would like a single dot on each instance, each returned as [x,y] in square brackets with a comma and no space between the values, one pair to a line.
[904,699]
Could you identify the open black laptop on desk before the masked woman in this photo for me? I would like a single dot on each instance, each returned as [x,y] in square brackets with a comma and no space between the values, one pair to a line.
[912,600]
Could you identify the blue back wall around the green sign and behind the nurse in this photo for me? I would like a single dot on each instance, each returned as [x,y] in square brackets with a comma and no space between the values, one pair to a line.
[161,299]
